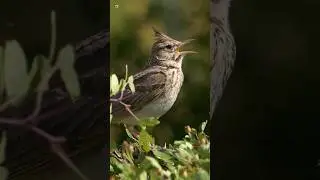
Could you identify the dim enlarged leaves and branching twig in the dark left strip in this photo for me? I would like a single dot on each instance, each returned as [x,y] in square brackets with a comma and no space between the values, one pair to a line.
[16,82]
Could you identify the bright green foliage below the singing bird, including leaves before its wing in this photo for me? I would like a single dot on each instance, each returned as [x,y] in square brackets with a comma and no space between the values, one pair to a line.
[140,158]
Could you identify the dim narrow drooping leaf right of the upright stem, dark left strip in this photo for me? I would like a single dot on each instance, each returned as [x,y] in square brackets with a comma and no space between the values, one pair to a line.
[65,60]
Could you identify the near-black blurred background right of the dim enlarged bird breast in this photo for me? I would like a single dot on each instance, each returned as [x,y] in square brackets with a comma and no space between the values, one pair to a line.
[267,124]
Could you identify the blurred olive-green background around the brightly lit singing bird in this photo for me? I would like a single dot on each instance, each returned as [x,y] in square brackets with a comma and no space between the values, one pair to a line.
[131,25]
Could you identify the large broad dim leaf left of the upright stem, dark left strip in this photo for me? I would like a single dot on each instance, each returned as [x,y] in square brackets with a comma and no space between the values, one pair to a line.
[15,70]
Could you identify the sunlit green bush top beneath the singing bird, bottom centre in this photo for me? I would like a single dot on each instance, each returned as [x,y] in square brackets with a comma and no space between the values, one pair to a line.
[178,161]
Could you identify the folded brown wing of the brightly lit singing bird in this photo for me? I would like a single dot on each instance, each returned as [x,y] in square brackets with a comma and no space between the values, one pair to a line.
[149,85]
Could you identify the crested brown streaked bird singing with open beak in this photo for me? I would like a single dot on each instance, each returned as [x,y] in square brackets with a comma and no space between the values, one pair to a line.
[157,85]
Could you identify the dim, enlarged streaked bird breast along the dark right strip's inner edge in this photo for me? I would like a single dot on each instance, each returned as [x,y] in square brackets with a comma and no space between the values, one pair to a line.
[223,50]
